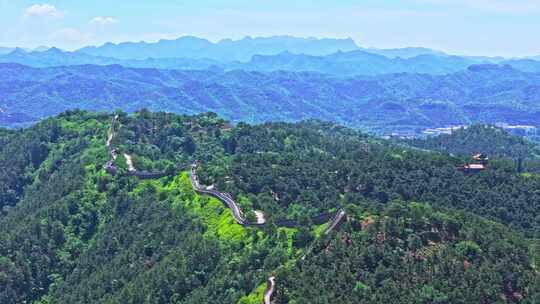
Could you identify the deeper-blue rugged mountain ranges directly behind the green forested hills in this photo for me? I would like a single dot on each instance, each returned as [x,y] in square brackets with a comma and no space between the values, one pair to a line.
[385,103]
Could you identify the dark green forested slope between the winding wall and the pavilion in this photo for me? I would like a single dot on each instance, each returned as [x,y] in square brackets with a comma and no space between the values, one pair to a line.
[300,170]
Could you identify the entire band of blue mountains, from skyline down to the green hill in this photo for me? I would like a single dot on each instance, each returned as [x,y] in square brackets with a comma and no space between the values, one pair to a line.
[274,78]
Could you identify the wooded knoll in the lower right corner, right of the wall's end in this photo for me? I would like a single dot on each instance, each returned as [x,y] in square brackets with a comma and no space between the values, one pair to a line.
[470,260]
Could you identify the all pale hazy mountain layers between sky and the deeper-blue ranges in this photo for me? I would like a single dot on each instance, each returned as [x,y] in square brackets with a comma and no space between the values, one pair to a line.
[341,57]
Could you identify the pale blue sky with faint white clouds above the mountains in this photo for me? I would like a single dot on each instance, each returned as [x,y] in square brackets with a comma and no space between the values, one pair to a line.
[468,27]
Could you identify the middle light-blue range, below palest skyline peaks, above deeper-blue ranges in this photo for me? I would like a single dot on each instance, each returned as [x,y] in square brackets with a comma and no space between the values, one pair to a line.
[351,63]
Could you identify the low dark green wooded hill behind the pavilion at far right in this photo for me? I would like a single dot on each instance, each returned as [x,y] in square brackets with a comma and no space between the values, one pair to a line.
[475,139]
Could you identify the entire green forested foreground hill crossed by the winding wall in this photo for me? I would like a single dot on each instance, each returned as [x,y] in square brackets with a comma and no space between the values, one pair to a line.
[416,230]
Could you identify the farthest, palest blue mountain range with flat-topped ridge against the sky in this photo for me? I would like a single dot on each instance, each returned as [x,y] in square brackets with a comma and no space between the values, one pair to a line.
[224,51]
